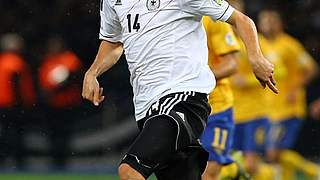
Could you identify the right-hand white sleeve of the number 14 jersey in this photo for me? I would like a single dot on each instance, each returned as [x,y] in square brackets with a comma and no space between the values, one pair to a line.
[215,9]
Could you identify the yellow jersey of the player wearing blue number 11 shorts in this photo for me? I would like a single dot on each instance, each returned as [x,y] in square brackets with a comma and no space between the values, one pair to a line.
[221,40]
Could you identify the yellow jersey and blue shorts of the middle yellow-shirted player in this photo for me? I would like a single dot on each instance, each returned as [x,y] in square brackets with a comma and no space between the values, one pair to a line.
[251,105]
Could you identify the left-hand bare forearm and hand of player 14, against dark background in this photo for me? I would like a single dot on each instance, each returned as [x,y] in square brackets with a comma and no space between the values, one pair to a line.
[108,55]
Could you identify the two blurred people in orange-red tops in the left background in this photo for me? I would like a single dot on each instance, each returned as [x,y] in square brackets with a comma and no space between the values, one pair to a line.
[59,83]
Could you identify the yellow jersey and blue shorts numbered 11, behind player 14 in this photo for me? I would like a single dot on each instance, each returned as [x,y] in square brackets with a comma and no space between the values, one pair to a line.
[218,135]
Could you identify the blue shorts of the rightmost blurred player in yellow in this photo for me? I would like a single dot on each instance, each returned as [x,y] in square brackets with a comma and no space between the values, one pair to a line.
[284,133]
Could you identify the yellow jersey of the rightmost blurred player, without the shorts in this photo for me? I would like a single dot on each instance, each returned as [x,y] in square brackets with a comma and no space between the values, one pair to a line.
[296,59]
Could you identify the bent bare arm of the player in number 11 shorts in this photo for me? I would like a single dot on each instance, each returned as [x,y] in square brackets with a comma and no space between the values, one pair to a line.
[227,67]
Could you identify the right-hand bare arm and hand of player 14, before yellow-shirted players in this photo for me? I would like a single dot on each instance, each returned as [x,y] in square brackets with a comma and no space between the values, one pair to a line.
[247,31]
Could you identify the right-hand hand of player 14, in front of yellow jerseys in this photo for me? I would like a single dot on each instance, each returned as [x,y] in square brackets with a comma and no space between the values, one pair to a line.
[263,70]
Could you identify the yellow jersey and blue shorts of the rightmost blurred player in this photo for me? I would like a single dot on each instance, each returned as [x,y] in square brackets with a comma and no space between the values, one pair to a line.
[287,115]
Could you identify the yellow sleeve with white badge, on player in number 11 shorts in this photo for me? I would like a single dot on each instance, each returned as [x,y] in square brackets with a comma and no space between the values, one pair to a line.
[221,38]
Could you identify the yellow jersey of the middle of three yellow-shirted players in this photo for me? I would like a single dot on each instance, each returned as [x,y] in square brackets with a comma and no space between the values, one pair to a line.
[251,100]
